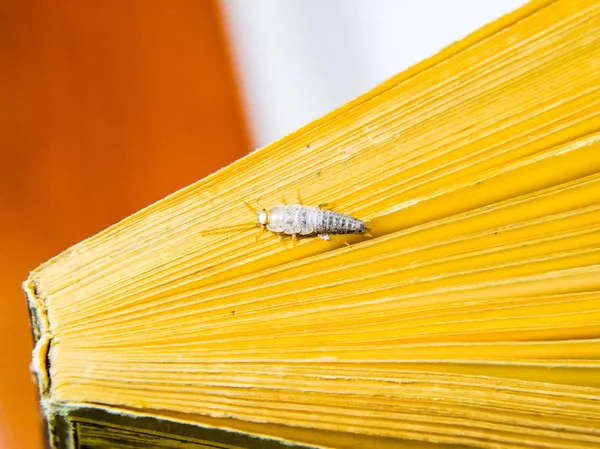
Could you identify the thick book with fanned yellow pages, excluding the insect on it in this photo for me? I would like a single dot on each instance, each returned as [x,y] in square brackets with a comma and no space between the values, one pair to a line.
[470,317]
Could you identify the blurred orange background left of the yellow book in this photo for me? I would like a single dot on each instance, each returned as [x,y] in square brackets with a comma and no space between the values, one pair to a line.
[107,106]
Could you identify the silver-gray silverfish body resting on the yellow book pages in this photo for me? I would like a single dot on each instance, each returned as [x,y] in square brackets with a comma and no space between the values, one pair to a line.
[296,219]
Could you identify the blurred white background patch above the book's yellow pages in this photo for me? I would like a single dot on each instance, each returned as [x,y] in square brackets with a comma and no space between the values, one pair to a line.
[299,59]
